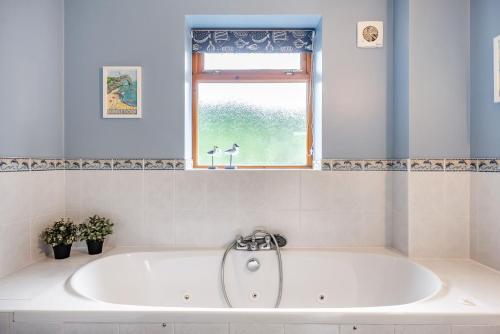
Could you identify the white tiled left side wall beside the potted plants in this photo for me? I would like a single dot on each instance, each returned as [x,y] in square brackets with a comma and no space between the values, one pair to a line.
[29,200]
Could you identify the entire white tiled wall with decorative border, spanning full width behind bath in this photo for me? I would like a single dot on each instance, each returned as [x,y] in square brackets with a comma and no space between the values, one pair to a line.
[421,207]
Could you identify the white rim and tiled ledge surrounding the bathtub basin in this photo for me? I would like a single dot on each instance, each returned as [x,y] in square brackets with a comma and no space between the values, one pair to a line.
[462,278]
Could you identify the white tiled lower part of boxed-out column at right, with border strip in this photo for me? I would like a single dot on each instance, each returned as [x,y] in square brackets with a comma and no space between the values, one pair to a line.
[431,208]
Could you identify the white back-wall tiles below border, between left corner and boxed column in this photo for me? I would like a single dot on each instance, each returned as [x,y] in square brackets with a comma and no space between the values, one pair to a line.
[209,208]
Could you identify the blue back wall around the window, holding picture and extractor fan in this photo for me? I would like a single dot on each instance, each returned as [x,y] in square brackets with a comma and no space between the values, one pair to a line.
[357,101]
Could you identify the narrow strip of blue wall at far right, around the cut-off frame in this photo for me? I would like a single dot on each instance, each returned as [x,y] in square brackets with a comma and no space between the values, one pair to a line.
[485,115]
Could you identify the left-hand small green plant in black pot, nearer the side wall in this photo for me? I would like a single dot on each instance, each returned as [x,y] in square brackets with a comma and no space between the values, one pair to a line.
[61,236]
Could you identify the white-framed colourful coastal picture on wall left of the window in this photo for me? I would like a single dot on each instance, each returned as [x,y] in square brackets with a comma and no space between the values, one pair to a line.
[121,92]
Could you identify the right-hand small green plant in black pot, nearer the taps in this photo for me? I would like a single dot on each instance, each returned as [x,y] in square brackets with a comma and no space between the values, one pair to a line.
[94,231]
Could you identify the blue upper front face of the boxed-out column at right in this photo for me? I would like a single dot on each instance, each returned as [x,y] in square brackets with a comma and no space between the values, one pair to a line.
[438,72]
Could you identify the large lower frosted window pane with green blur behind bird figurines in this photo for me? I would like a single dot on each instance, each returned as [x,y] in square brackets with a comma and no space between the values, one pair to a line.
[267,120]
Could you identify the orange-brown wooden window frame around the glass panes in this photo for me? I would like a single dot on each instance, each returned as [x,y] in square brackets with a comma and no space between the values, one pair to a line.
[199,75]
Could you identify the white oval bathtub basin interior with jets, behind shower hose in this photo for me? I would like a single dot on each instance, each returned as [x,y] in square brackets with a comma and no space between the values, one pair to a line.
[312,279]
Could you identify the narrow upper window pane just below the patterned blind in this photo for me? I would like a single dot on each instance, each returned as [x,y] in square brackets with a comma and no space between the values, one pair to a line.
[251,61]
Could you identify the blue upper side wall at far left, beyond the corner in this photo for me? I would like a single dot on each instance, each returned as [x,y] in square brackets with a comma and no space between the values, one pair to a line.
[31,87]
